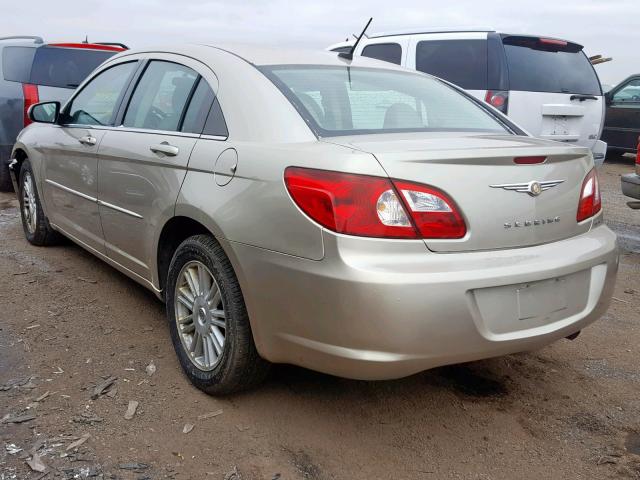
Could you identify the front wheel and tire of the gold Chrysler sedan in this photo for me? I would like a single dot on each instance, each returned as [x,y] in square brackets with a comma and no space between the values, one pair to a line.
[36,228]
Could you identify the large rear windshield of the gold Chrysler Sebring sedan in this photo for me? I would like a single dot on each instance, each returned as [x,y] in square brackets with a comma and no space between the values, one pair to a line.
[348,101]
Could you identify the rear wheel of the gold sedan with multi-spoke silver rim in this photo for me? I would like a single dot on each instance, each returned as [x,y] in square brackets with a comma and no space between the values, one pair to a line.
[233,364]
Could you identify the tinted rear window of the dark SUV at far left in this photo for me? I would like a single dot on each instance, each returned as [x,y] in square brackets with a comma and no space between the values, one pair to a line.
[65,67]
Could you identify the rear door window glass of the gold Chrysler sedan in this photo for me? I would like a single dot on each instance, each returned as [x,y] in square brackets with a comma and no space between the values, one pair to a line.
[161,96]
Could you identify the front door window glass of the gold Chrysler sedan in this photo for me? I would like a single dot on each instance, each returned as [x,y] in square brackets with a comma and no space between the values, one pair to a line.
[97,101]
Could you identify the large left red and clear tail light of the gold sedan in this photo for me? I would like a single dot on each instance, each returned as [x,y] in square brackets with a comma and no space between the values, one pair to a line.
[371,206]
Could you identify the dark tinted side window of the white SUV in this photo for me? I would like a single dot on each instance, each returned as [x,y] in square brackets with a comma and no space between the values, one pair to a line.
[462,62]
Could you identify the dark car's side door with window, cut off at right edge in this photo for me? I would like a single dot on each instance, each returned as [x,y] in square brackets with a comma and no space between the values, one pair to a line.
[622,123]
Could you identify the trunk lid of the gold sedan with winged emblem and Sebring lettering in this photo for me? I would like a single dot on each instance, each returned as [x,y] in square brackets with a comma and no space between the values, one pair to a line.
[479,173]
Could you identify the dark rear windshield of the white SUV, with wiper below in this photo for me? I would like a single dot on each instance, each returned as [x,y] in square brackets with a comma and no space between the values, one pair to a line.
[538,65]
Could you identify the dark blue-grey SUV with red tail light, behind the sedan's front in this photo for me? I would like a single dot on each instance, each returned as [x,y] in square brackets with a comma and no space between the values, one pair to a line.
[33,71]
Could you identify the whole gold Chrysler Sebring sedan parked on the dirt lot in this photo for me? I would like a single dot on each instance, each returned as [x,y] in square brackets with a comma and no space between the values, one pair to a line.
[345,215]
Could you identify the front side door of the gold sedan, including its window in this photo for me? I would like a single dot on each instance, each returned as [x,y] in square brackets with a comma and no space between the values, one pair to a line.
[70,167]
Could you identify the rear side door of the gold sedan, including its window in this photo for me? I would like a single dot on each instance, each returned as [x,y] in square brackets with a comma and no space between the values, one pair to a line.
[143,161]
